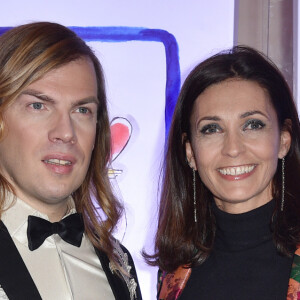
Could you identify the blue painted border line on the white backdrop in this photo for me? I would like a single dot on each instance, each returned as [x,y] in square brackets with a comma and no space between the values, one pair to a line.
[124,34]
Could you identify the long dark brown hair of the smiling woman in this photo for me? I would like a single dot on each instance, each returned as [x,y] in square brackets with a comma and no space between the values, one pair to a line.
[179,240]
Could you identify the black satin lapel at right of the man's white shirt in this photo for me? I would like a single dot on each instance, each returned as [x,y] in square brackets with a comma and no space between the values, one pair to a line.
[117,284]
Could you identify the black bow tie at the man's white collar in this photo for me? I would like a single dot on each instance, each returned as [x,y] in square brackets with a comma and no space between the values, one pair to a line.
[70,229]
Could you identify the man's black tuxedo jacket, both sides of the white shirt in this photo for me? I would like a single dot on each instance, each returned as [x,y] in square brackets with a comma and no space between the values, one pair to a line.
[17,283]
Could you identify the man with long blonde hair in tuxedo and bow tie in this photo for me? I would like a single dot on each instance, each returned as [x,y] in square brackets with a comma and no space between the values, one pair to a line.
[54,152]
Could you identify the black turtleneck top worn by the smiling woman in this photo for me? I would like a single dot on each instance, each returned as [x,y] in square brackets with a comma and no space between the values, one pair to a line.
[244,264]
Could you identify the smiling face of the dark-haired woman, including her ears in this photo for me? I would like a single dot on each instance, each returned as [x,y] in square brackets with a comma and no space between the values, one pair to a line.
[235,144]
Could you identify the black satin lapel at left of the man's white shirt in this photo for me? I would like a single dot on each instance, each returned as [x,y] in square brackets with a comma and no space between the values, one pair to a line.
[14,276]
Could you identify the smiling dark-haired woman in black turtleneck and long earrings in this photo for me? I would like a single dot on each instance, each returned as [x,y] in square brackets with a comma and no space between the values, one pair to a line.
[229,214]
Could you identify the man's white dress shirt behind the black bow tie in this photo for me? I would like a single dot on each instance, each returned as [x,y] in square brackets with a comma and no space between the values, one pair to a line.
[59,270]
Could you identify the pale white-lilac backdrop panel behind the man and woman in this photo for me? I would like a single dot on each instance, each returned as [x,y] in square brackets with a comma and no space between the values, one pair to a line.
[136,76]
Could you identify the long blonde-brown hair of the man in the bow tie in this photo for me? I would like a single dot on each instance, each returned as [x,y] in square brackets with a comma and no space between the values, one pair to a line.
[27,53]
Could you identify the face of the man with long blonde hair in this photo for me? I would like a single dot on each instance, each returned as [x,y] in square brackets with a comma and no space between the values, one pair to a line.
[49,135]
